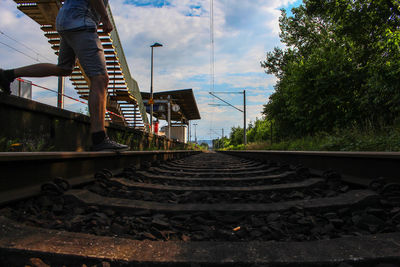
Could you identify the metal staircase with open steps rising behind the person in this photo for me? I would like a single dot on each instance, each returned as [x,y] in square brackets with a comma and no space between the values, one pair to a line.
[124,101]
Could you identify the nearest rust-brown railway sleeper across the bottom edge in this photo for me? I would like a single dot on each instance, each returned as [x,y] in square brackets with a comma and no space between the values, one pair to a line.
[61,247]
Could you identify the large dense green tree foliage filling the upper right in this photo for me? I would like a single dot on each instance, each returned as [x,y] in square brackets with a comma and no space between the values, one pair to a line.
[340,67]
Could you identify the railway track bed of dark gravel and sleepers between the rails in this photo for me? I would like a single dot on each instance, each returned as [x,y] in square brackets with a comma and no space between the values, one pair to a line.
[208,209]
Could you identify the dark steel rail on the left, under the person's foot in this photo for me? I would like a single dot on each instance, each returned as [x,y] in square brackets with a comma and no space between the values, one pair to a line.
[23,173]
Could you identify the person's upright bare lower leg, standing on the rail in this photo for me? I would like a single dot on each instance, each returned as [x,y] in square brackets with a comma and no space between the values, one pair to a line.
[97,102]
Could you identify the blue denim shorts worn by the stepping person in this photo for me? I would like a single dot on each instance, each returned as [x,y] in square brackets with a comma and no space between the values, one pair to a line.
[85,46]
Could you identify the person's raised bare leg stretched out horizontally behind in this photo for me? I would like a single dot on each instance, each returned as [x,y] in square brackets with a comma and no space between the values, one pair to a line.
[41,70]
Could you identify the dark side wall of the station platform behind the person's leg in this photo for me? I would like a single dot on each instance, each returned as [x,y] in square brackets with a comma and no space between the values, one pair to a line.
[32,126]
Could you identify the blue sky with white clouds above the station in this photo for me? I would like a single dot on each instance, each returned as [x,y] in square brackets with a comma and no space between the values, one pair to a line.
[244,30]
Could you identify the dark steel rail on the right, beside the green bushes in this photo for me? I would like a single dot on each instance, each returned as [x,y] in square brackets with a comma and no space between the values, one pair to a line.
[355,167]
